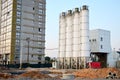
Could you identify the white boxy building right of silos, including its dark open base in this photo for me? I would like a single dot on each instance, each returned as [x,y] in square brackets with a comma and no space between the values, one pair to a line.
[100,45]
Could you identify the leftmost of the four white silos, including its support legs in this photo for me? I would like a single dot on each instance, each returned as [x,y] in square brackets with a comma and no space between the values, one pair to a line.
[62,40]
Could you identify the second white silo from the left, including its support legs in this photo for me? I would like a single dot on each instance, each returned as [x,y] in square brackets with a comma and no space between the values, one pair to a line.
[68,39]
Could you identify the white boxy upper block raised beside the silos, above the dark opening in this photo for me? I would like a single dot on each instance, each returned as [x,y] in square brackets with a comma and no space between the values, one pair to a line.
[100,41]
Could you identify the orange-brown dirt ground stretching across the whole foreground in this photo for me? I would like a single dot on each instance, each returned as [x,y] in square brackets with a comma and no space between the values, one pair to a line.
[57,74]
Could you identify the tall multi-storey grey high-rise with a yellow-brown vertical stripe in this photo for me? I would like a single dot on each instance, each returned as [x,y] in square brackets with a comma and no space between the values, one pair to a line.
[22,31]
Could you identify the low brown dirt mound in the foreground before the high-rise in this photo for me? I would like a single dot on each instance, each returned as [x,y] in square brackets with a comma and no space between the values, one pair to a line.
[33,74]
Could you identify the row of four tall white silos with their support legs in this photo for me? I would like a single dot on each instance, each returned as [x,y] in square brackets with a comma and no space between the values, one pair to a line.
[74,47]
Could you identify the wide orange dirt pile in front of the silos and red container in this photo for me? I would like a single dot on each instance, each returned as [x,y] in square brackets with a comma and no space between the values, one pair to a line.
[96,73]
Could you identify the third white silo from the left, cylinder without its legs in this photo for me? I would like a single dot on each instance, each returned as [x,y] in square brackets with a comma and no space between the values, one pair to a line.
[76,33]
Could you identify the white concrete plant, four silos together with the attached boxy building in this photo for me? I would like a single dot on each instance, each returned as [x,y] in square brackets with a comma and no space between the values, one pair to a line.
[78,45]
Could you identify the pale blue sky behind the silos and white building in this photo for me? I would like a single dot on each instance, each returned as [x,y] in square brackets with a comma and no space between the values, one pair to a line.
[103,14]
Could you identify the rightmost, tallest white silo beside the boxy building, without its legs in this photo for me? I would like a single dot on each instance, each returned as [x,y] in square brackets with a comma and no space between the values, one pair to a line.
[85,49]
